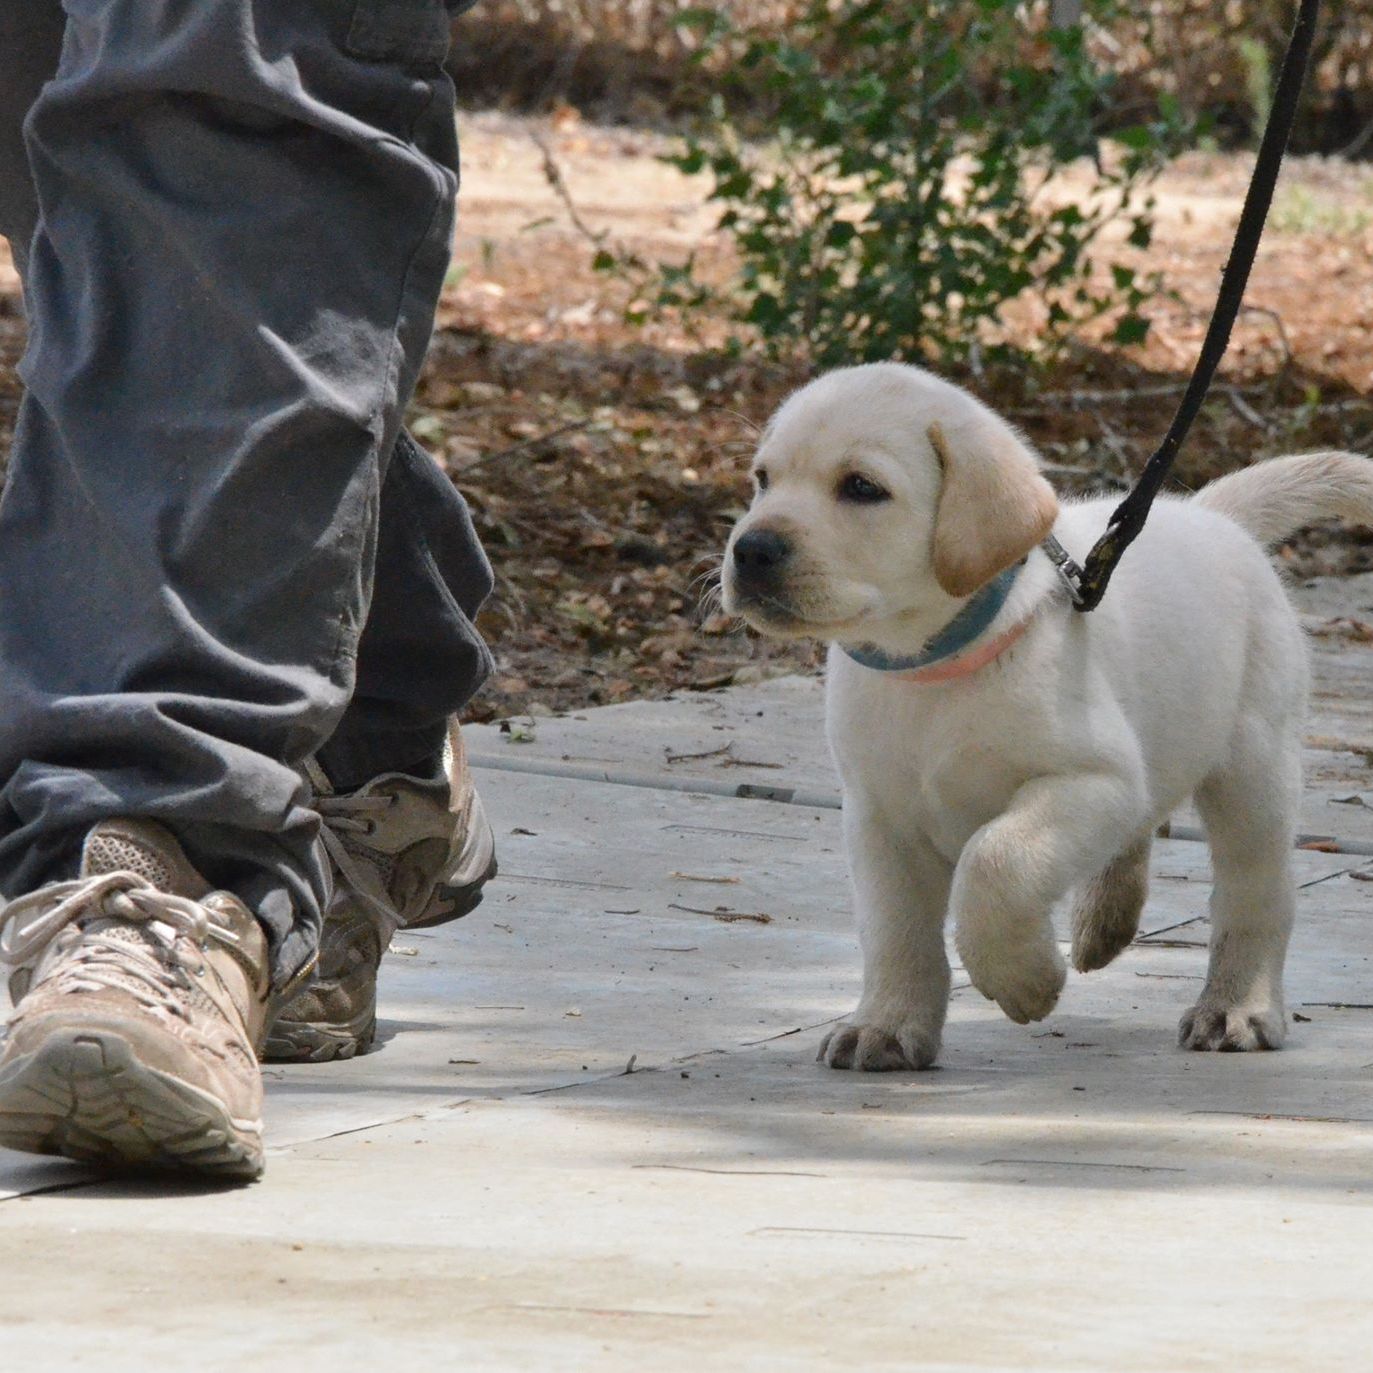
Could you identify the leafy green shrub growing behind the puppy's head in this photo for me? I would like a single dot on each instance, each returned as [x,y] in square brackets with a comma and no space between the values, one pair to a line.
[900,201]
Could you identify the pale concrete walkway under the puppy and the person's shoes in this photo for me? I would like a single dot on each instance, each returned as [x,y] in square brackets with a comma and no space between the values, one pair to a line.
[595,1138]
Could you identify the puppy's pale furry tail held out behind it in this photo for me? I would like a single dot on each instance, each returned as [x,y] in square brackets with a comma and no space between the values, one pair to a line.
[1273,499]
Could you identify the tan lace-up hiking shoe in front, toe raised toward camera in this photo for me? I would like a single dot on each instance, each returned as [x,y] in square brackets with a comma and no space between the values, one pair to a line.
[141,997]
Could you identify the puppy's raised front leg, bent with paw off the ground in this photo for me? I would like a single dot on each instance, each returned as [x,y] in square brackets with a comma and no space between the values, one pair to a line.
[1055,833]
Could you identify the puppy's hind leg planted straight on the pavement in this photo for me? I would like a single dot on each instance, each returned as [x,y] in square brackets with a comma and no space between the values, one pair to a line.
[1250,812]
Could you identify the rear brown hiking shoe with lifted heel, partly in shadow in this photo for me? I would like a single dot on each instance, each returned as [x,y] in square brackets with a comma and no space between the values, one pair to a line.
[406,855]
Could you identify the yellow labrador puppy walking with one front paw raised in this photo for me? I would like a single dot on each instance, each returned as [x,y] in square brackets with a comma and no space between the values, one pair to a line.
[1000,750]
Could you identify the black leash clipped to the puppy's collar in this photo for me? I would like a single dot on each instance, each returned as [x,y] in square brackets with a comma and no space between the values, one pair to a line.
[1088,584]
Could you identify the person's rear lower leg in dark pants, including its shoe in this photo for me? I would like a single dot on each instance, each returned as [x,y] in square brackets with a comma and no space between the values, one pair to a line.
[408,838]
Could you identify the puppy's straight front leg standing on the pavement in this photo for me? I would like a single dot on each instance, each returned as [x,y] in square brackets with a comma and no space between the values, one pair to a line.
[901,889]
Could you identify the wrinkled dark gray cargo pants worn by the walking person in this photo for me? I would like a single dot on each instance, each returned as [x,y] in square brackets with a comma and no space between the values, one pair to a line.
[219,551]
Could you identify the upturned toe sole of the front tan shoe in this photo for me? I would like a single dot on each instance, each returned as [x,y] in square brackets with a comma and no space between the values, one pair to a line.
[86,1095]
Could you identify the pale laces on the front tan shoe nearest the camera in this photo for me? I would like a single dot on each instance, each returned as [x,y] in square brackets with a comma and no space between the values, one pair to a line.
[150,966]
